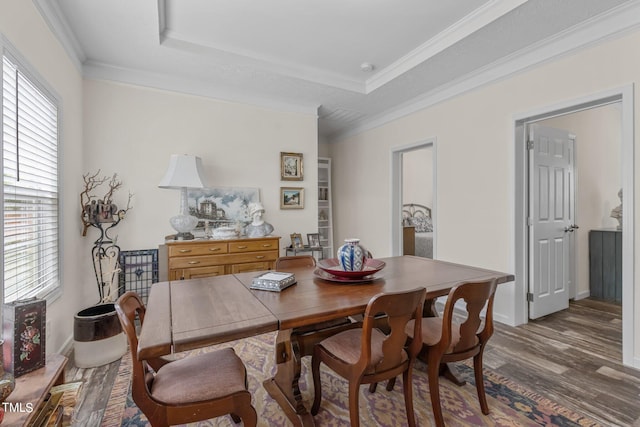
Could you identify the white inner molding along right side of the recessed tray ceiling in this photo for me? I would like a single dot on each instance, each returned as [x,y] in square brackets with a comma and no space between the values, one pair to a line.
[481,17]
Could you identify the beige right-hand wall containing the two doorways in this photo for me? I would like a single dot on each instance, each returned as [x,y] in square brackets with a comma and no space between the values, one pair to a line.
[475,157]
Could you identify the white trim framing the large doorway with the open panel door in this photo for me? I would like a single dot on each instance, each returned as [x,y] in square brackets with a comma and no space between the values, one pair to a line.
[625,95]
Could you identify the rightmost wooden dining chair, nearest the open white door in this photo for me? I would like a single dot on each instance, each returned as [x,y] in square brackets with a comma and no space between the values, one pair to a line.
[446,340]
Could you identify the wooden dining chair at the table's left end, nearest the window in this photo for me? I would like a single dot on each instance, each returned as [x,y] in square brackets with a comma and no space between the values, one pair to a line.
[193,388]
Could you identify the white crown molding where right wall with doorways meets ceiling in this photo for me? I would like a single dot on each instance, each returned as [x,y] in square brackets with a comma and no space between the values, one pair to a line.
[613,24]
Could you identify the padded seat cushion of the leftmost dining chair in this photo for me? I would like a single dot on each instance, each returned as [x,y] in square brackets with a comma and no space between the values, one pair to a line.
[198,378]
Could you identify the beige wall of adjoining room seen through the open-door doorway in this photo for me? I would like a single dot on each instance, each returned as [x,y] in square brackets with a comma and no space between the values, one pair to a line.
[598,176]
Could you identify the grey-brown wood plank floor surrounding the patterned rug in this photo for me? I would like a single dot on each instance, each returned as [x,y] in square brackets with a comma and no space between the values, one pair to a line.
[573,357]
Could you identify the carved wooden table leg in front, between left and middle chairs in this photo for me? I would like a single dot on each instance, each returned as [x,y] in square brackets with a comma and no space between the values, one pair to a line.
[283,387]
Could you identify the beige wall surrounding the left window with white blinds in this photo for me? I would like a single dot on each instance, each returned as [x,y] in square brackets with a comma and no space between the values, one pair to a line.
[22,26]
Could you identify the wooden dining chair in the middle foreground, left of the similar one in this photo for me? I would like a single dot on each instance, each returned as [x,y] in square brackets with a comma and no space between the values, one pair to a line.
[367,355]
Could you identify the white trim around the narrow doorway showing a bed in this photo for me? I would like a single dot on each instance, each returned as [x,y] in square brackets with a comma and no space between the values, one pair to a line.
[396,191]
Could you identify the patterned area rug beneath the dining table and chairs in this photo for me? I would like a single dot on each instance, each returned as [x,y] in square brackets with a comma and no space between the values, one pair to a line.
[510,403]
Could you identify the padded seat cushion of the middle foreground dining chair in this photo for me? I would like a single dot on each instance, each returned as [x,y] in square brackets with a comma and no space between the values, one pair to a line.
[346,346]
